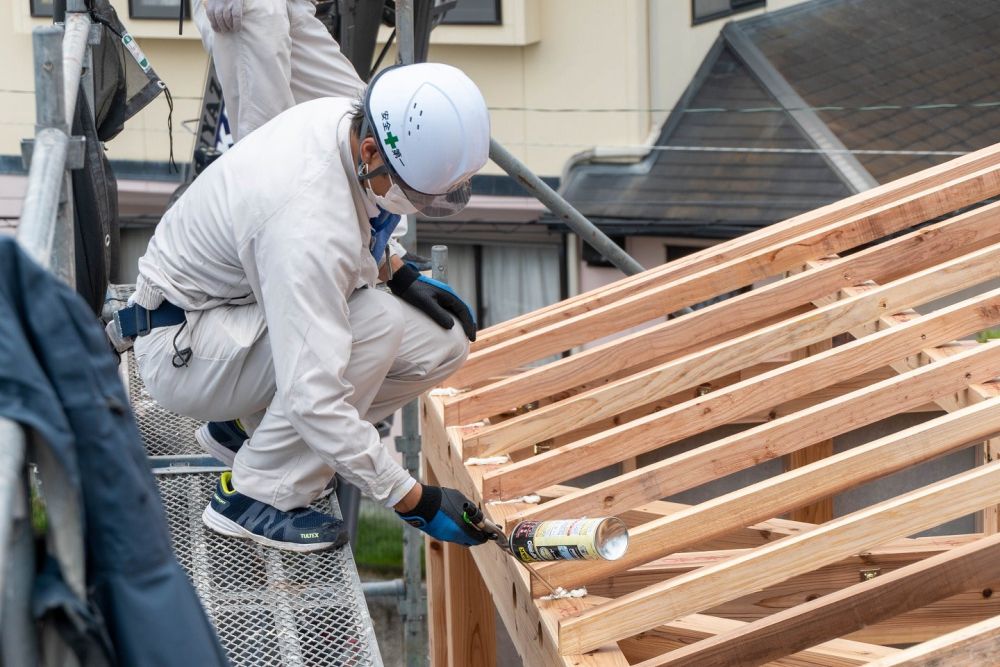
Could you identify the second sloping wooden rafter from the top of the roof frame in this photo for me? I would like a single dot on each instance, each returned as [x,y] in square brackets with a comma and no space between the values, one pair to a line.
[660,300]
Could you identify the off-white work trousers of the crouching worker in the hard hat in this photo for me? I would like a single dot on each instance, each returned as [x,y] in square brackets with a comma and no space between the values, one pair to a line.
[397,354]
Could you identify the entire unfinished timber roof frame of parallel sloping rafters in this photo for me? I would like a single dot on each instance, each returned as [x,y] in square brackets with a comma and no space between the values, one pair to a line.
[583,632]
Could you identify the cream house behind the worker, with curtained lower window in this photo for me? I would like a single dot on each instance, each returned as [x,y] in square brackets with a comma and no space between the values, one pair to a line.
[560,76]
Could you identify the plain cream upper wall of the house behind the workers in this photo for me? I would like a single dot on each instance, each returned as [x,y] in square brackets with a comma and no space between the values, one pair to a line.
[561,76]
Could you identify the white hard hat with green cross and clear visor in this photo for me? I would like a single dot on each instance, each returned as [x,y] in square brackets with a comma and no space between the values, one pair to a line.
[432,128]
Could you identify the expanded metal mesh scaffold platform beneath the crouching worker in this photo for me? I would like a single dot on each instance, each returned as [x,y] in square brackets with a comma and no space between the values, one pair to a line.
[270,607]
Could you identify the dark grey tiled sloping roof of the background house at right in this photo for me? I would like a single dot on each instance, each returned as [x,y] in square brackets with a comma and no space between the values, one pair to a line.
[795,109]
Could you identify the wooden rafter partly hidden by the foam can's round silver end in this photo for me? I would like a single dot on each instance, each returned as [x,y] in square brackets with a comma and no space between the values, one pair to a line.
[778,494]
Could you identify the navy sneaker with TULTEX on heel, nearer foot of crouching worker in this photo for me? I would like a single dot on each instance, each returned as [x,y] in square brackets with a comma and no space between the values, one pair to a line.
[233,514]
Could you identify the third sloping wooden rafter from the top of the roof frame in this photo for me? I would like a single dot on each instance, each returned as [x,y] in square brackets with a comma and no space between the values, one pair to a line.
[887,261]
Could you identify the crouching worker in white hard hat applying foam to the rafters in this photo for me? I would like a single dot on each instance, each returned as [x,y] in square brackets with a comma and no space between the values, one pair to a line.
[256,301]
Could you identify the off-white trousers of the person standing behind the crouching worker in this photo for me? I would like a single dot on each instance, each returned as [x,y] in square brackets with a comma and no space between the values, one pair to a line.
[283,56]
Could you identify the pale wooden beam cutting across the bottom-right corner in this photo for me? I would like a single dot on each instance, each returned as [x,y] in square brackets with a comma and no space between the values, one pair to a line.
[977,645]
